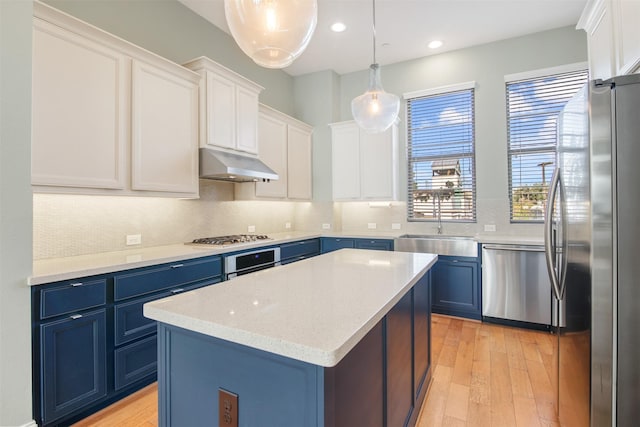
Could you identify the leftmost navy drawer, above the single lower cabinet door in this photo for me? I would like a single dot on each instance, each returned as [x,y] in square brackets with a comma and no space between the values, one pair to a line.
[71,297]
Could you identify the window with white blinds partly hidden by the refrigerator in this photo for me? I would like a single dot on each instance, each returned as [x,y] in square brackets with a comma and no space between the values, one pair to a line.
[533,105]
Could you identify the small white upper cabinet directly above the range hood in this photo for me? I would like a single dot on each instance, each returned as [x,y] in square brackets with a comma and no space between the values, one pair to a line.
[228,108]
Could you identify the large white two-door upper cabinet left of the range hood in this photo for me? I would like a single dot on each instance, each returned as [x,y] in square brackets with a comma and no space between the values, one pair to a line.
[108,116]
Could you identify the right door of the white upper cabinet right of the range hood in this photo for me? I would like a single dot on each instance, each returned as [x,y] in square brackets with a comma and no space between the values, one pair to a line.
[299,164]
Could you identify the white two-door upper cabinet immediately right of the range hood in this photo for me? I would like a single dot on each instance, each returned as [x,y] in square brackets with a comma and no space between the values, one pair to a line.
[284,146]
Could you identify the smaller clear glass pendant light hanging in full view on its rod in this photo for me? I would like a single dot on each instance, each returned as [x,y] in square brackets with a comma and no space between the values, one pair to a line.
[375,110]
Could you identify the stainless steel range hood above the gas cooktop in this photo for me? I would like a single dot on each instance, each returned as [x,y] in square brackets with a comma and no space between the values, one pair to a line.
[224,166]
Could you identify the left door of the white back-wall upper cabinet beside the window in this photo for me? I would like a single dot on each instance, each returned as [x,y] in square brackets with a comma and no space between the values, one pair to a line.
[345,154]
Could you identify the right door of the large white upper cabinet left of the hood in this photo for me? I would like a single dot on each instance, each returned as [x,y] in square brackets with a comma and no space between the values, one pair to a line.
[164,131]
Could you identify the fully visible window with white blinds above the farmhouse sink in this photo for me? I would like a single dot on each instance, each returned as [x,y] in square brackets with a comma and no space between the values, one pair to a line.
[441,154]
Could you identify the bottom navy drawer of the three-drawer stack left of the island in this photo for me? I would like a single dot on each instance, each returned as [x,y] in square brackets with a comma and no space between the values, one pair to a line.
[135,361]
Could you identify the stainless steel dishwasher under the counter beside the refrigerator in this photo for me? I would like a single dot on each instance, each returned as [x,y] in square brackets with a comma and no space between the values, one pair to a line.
[515,284]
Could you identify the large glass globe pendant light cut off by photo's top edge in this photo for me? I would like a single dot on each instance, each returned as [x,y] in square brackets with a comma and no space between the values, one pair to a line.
[272,32]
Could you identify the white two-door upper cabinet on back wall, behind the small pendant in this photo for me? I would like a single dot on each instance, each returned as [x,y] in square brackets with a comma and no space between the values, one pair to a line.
[365,166]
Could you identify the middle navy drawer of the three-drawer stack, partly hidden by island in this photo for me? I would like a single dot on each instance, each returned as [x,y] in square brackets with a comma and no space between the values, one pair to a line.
[129,321]
